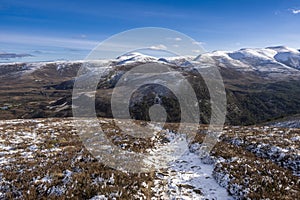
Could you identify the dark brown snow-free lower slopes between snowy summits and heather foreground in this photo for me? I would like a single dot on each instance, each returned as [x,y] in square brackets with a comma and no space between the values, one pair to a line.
[251,100]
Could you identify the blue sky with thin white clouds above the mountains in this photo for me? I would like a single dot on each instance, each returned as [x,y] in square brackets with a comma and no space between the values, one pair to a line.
[64,29]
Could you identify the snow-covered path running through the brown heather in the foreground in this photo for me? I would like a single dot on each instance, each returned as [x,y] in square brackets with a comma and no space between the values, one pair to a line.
[186,177]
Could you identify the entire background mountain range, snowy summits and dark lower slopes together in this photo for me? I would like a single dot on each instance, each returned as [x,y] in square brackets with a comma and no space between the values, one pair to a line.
[262,84]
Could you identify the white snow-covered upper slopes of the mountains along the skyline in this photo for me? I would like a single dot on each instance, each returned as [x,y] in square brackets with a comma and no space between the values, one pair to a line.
[268,62]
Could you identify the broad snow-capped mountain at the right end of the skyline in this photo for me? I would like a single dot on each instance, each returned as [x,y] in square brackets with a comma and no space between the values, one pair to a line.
[270,61]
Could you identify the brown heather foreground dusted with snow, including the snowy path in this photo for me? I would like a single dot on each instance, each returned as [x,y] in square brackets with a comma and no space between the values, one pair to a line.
[45,158]
